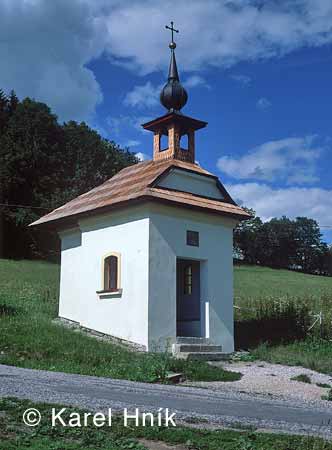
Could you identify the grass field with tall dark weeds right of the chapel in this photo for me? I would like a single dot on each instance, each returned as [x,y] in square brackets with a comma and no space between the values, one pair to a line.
[290,304]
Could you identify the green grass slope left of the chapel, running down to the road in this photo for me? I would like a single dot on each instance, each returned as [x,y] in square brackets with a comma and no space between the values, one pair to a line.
[28,338]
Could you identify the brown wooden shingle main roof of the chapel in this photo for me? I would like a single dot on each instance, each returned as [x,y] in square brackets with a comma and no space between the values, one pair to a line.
[136,183]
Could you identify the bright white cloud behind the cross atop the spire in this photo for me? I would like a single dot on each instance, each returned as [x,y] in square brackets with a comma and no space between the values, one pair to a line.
[216,33]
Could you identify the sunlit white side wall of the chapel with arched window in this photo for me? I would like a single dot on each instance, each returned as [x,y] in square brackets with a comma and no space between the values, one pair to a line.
[124,316]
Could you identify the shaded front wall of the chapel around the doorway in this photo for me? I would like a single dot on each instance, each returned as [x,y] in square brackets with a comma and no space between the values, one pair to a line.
[168,228]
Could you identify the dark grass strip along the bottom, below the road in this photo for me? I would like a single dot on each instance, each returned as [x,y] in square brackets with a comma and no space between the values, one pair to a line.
[14,435]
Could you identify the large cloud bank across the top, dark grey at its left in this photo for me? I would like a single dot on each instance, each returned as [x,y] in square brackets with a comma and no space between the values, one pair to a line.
[46,46]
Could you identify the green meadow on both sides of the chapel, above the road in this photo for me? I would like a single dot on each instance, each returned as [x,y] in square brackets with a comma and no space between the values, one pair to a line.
[278,300]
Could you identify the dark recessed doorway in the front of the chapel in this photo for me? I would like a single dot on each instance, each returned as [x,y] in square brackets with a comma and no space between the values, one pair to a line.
[188,305]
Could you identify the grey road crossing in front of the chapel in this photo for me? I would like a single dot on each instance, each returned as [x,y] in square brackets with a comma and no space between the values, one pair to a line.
[203,406]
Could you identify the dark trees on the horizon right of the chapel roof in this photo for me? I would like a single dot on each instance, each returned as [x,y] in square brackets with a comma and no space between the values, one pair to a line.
[283,243]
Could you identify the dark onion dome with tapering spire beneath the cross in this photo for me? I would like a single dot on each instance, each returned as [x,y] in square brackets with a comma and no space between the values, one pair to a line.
[173,95]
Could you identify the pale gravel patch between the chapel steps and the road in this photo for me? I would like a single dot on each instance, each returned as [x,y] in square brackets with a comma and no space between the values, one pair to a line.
[273,381]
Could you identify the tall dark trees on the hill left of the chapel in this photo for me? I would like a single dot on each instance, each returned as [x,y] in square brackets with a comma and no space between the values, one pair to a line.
[44,164]
